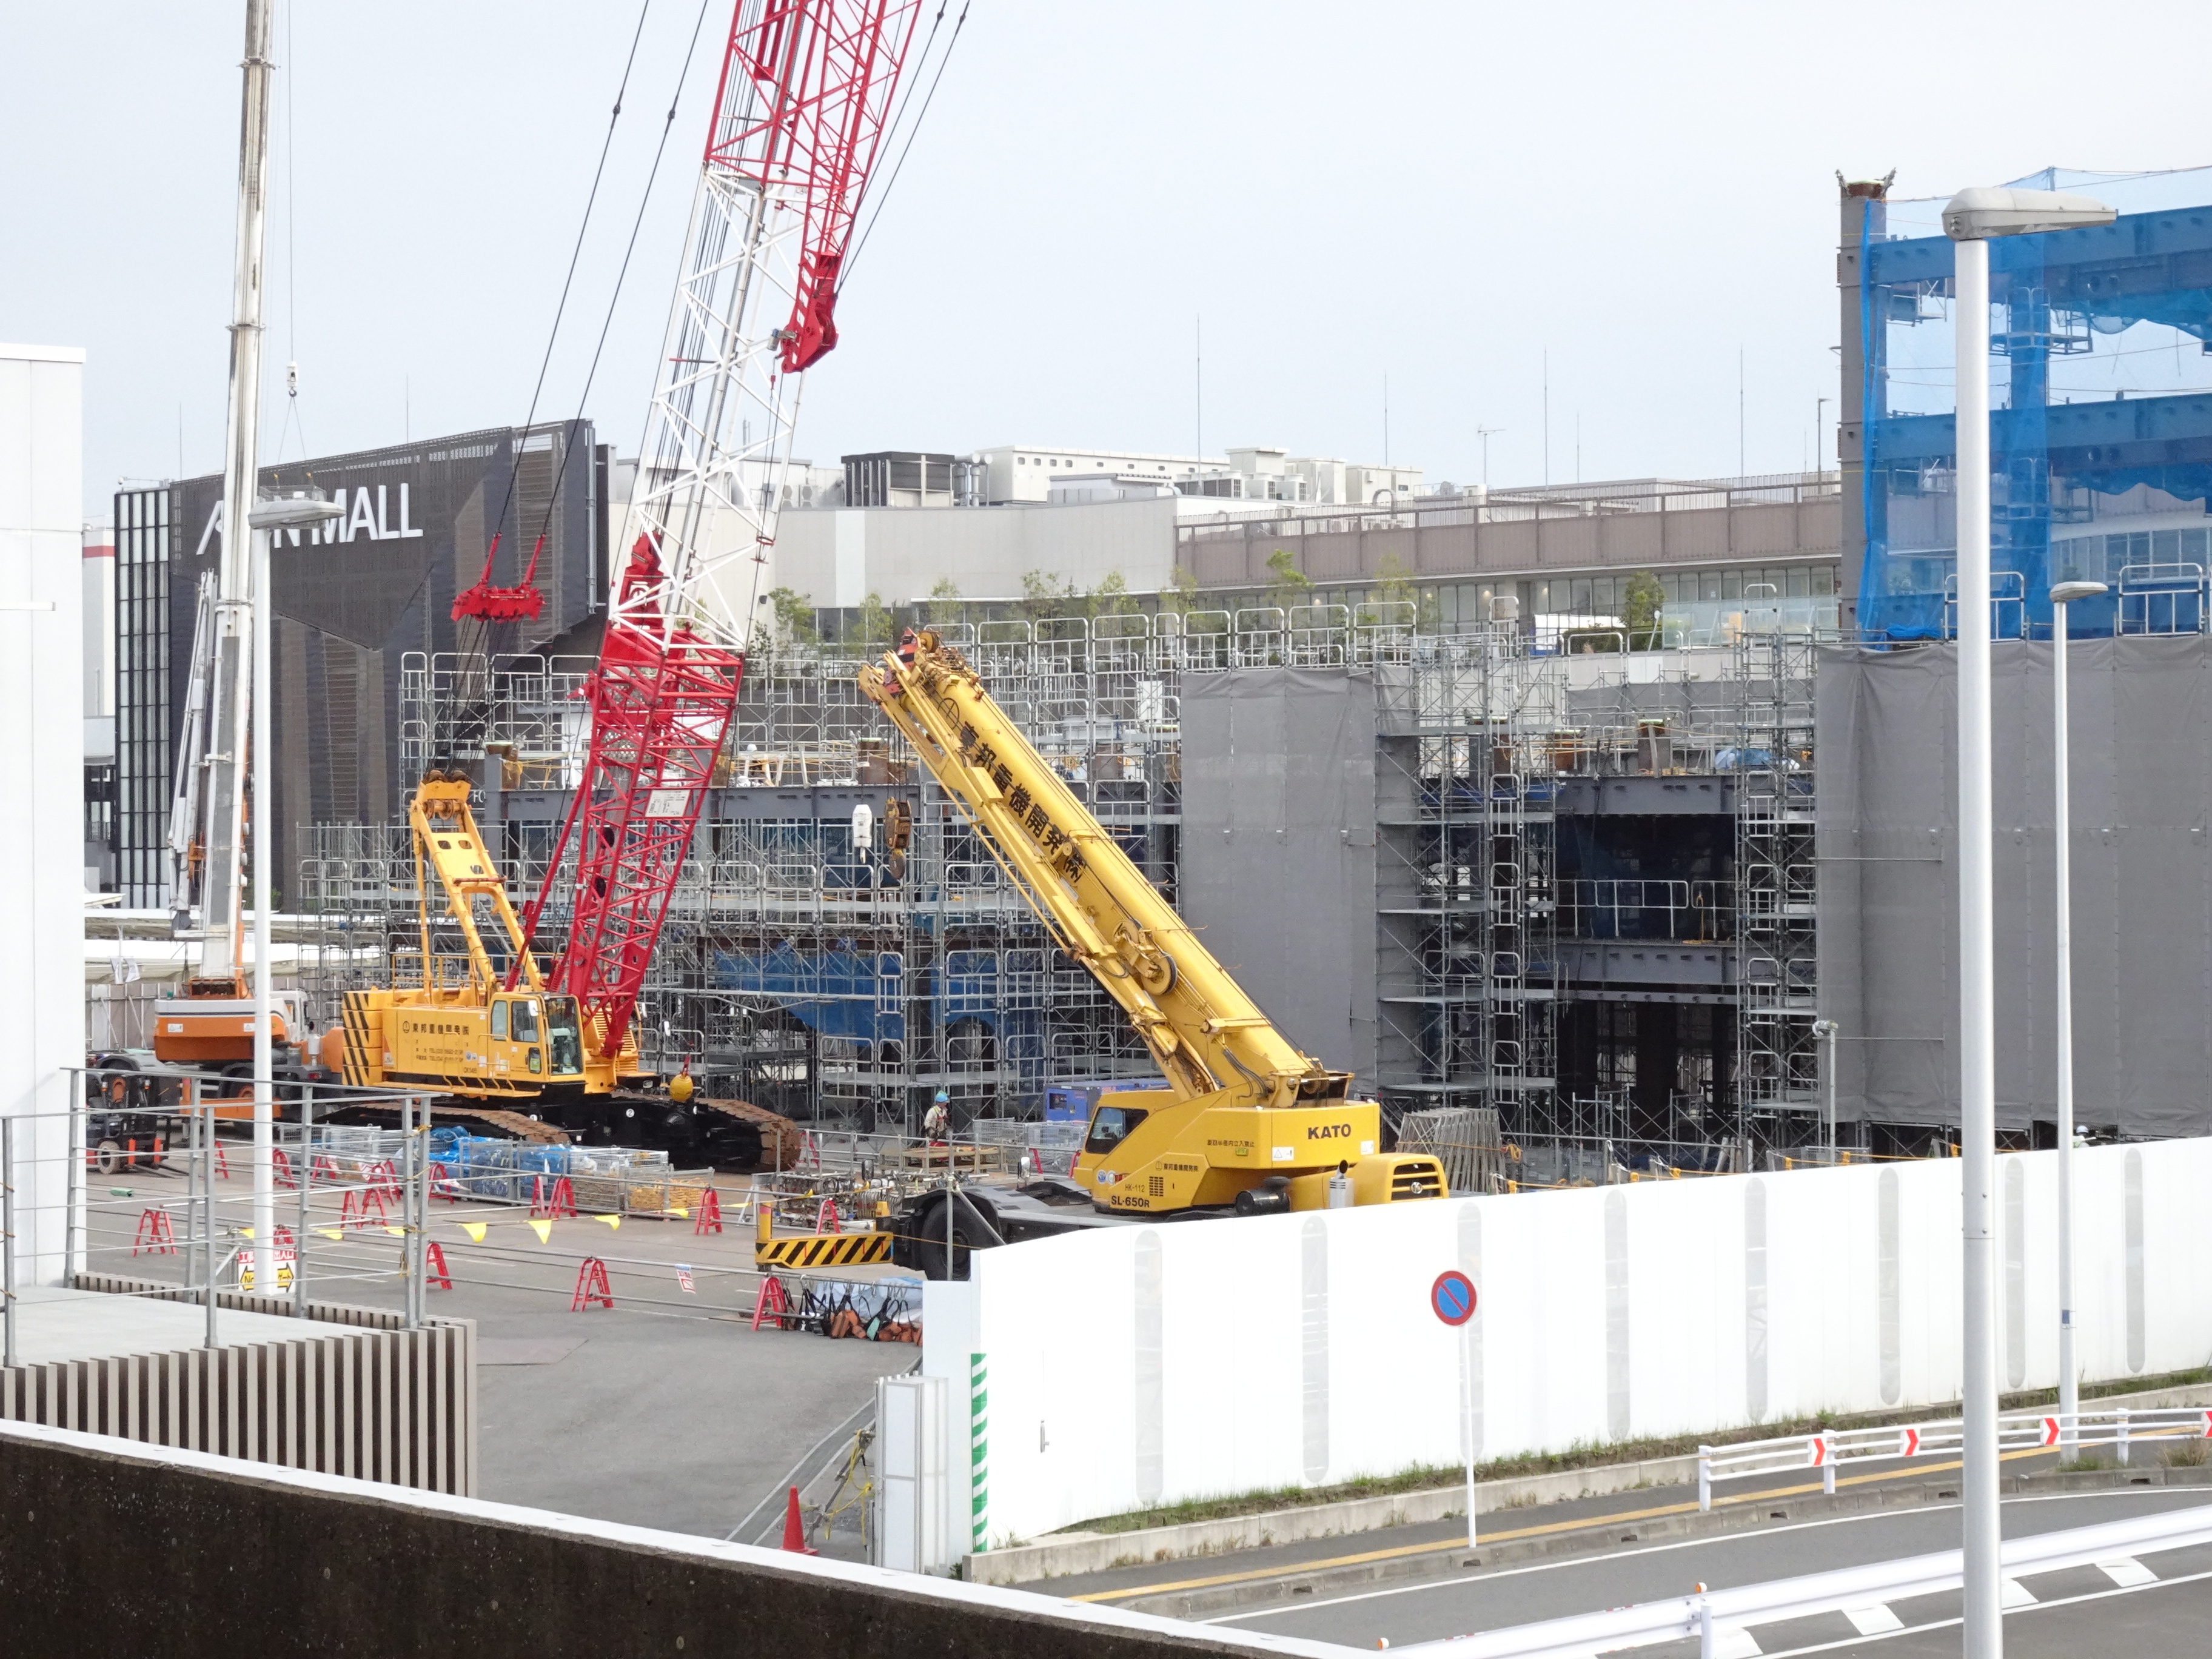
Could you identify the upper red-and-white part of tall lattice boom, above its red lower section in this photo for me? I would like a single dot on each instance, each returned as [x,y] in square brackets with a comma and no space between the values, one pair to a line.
[804,101]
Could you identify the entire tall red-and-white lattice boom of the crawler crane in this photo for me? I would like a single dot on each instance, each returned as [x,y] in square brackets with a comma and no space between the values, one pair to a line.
[800,116]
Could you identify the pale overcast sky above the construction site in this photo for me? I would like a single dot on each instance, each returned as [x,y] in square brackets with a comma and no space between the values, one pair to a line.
[1437,196]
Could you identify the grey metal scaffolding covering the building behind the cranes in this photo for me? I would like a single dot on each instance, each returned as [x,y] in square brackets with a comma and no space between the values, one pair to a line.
[1594,886]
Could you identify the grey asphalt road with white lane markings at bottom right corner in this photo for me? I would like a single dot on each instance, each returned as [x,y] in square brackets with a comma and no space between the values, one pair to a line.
[2164,1614]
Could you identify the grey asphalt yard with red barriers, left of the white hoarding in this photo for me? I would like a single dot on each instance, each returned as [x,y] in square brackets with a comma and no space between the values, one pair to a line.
[667,1410]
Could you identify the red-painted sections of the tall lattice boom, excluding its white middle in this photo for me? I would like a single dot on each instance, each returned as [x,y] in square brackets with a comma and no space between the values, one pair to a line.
[804,101]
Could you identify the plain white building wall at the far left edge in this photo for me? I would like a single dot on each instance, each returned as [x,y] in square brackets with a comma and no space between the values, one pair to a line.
[43,760]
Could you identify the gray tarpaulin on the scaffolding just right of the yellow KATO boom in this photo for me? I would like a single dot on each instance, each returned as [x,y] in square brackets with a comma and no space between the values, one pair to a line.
[1280,851]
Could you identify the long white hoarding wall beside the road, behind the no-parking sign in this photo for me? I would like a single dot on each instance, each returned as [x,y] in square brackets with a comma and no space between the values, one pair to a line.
[1149,1366]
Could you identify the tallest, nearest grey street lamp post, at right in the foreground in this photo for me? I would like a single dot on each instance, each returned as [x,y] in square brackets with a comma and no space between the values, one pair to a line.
[1972,218]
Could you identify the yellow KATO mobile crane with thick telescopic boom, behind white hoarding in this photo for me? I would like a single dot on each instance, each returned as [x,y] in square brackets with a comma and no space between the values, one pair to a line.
[1246,1123]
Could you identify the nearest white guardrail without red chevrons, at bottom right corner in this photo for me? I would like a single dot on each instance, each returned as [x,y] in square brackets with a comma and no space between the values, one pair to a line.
[1715,1618]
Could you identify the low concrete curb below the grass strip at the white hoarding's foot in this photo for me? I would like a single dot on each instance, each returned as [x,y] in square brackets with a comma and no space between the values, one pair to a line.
[1065,1554]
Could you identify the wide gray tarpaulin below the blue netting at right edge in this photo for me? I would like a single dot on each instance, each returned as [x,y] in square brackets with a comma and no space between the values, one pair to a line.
[2142,881]
